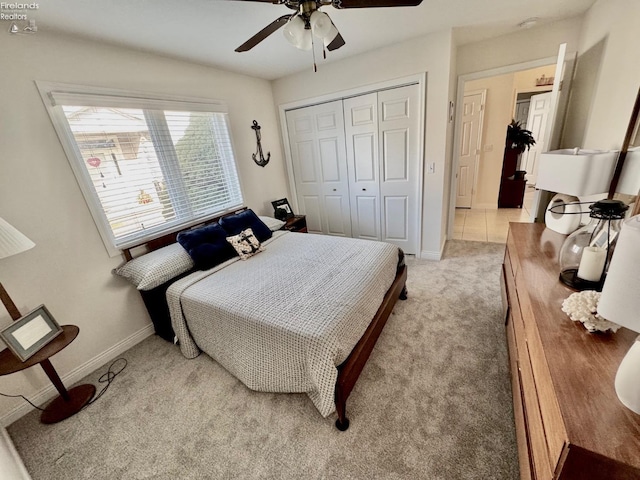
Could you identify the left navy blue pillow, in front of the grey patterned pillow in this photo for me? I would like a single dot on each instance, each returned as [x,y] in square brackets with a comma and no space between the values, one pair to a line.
[207,246]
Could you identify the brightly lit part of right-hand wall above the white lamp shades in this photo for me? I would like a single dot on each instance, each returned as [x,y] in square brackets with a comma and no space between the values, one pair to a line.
[615,21]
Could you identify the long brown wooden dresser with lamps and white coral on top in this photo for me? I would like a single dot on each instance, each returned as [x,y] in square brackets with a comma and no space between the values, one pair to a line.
[569,421]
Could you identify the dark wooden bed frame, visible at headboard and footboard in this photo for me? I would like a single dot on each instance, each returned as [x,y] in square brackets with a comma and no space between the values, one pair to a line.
[350,369]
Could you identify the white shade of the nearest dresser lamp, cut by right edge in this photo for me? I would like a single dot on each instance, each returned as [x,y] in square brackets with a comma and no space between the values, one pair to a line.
[620,298]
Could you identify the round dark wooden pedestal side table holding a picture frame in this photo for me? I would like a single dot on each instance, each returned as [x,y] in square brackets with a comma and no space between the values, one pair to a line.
[69,402]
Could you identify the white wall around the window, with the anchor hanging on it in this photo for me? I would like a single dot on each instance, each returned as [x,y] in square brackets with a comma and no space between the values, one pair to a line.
[69,269]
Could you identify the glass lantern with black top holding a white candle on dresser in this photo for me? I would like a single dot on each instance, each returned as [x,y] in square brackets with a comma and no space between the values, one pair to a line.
[586,253]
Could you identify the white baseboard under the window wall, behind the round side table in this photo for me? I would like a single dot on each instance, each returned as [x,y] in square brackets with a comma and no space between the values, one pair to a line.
[77,374]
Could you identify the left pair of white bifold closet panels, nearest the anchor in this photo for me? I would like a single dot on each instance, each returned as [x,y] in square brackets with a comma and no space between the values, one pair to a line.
[316,136]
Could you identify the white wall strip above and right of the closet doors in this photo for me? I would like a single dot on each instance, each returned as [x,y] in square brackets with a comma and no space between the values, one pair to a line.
[431,54]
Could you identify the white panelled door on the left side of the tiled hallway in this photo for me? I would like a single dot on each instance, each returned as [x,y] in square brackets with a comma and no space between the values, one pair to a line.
[470,140]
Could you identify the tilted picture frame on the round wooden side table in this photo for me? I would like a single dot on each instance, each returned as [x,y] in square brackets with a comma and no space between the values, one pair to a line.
[27,335]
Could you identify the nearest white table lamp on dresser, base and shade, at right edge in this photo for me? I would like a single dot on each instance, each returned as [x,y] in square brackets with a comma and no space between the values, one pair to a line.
[620,303]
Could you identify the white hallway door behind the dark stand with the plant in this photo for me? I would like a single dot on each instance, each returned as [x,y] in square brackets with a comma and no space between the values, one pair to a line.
[537,123]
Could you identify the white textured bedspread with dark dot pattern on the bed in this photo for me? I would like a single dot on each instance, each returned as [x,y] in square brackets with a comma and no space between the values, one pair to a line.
[282,321]
